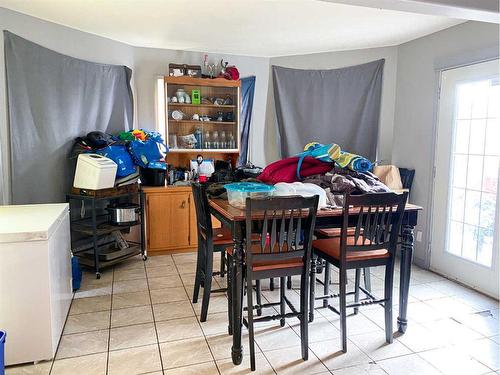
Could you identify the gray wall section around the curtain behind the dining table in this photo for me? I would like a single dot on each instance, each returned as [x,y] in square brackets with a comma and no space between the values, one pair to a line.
[332,60]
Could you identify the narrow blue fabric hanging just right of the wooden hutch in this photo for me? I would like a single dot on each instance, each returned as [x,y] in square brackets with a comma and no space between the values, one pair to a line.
[247,92]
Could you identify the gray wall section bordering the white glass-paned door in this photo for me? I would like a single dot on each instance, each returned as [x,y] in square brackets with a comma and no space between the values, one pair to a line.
[419,62]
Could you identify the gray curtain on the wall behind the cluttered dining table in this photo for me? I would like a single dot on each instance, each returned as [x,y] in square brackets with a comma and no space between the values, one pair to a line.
[329,106]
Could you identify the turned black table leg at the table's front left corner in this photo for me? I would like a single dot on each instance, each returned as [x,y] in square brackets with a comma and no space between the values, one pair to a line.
[237,298]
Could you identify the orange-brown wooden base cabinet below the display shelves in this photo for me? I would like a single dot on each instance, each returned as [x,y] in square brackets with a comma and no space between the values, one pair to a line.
[170,219]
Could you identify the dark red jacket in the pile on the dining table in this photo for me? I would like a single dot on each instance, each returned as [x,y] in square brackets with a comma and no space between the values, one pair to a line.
[285,170]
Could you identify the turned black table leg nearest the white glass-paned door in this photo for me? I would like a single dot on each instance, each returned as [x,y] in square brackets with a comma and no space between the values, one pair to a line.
[405,273]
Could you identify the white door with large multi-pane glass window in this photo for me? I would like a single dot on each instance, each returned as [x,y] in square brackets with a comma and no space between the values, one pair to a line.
[465,237]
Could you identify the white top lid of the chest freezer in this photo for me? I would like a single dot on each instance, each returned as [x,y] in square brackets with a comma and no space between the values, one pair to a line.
[32,222]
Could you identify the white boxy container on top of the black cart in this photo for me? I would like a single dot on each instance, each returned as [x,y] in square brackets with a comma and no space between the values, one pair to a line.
[94,172]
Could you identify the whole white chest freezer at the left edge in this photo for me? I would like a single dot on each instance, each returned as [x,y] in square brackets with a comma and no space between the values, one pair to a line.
[35,279]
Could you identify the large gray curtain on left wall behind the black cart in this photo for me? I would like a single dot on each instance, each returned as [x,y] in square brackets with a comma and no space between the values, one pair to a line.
[52,99]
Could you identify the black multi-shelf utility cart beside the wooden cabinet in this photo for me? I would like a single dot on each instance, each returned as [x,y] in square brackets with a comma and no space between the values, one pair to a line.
[92,238]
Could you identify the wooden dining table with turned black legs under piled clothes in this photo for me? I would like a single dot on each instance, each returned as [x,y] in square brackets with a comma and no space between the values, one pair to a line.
[234,218]
